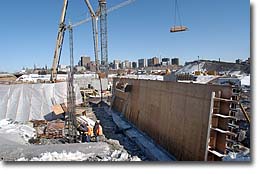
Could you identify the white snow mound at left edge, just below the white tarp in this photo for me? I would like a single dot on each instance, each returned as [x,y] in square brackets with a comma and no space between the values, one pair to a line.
[16,132]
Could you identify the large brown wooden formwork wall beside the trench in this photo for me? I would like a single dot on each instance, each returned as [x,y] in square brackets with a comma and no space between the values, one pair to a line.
[175,115]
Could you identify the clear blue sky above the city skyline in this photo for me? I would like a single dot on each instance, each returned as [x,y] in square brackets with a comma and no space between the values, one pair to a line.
[217,29]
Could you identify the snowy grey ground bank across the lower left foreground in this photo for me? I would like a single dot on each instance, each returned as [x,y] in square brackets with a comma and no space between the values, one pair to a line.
[14,145]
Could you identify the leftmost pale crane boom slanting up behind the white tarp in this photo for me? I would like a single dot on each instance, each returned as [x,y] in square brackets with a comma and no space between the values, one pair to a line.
[59,42]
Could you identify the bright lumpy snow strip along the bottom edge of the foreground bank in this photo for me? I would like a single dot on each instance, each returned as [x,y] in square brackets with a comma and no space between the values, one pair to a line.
[55,156]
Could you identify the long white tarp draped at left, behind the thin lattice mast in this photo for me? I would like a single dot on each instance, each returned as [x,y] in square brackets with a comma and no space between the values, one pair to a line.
[23,102]
